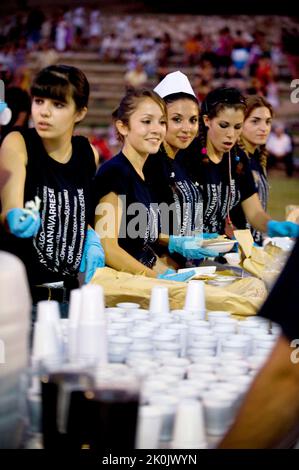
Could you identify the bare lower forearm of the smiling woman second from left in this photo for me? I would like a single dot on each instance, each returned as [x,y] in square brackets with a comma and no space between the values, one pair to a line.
[121,260]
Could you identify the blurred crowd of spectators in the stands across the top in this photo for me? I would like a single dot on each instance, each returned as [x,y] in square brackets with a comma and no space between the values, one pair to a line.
[246,51]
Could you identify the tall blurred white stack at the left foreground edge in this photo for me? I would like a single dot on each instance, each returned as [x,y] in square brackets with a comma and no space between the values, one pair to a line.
[15,308]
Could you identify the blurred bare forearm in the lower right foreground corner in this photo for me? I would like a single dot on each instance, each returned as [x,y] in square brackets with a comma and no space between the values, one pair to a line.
[271,408]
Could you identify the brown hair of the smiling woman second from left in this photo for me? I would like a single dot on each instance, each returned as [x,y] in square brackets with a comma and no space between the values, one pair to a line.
[130,102]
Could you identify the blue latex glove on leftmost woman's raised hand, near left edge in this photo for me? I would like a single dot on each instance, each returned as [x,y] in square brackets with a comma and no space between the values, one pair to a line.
[23,223]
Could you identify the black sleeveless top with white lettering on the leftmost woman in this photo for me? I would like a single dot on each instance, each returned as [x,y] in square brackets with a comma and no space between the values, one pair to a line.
[66,208]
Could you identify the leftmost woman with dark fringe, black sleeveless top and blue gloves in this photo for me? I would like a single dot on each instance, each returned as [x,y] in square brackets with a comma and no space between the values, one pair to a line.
[47,164]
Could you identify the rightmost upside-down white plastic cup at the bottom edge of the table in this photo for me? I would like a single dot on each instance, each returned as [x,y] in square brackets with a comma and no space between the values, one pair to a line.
[189,427]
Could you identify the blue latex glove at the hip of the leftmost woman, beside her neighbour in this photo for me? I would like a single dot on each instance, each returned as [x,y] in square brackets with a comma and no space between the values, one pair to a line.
[93,255]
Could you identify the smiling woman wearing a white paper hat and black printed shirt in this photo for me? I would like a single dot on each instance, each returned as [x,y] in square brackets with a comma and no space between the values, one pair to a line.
[167,177]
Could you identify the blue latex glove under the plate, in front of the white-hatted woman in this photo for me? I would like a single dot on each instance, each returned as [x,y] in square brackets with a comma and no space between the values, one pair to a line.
[189,248]
